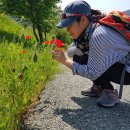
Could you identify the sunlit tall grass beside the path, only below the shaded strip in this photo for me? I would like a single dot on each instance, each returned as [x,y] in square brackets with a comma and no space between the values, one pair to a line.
[23,72]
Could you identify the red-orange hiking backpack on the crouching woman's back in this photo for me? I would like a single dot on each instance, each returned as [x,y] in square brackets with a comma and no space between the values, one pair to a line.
[119,21]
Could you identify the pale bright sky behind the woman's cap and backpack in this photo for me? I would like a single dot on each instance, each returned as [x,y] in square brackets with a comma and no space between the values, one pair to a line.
[103,5]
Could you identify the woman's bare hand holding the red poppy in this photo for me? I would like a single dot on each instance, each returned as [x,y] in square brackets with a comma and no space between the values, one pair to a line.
[59,55]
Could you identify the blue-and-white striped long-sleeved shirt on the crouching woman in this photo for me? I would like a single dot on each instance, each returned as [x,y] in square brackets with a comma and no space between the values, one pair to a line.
[106,47]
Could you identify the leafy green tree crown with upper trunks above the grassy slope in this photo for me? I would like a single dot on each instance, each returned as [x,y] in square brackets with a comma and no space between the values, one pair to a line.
[41,13]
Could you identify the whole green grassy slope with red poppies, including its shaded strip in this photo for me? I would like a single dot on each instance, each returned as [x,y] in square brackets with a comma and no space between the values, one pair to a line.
[24,69]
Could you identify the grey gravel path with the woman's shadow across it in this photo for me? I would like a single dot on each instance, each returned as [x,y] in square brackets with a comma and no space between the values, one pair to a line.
[62,107]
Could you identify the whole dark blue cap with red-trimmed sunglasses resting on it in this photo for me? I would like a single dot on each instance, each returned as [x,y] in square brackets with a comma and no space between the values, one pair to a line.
[72,11]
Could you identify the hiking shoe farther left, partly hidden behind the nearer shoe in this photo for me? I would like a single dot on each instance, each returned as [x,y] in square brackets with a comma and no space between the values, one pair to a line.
[94,91]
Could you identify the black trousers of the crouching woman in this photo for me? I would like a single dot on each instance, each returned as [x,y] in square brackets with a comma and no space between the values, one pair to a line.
[113,74]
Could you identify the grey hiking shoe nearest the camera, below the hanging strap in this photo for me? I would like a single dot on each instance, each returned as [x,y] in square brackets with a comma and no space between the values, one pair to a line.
[108,98]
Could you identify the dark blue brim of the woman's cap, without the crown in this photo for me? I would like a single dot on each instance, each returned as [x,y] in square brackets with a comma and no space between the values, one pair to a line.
[66,22]
